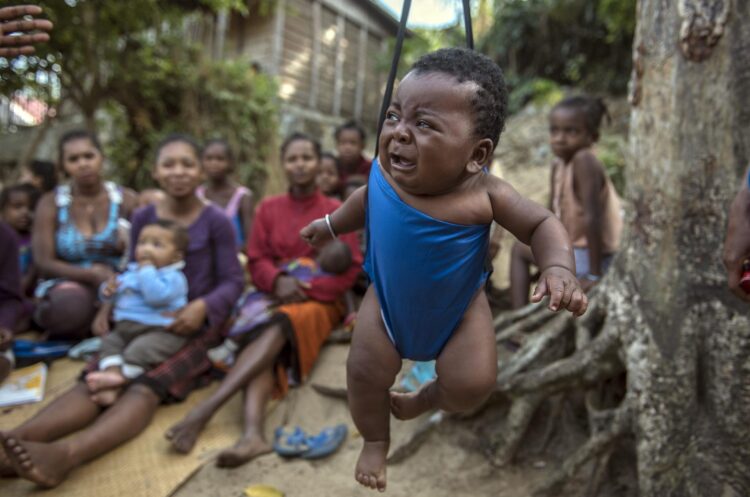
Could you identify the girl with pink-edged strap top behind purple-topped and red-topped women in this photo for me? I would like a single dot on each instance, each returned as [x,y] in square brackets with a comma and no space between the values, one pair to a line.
[222,190]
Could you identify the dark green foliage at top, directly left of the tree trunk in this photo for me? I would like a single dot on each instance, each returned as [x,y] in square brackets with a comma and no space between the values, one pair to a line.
[583,43]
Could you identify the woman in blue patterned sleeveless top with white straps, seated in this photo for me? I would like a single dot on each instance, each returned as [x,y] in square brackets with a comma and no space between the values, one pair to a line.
[77,240]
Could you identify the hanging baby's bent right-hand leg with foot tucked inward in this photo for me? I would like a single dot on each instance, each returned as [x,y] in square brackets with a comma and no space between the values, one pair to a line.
[466,368]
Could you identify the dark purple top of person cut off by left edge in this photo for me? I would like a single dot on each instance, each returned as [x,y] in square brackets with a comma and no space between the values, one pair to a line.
[11,301]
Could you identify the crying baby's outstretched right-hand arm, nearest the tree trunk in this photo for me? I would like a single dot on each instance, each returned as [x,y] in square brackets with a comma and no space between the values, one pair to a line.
[534,225]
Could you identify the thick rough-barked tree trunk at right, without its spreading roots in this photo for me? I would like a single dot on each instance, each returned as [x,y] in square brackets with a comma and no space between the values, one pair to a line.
[686,338]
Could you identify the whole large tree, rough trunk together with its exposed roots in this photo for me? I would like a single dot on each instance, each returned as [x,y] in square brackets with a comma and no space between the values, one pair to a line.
[664,312]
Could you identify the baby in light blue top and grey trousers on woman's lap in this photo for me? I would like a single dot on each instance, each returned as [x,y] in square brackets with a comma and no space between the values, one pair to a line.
[142,298]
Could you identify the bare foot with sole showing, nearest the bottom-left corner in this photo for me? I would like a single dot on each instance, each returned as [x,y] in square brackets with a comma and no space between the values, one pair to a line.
[42,463]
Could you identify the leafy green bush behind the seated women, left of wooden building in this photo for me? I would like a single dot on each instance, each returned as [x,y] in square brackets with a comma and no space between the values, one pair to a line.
[187,92]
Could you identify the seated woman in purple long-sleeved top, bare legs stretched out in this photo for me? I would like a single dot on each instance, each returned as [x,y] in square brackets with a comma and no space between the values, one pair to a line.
[36,450]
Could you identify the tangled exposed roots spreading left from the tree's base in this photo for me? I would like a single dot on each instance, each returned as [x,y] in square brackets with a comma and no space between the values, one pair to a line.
[559,353]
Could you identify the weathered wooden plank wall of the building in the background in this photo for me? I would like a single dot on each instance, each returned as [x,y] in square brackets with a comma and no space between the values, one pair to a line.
[328,53]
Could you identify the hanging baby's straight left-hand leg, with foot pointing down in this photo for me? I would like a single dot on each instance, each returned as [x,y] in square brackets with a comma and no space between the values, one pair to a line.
[370,371]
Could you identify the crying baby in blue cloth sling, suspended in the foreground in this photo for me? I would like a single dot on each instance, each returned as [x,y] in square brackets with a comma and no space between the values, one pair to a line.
[428,207]
